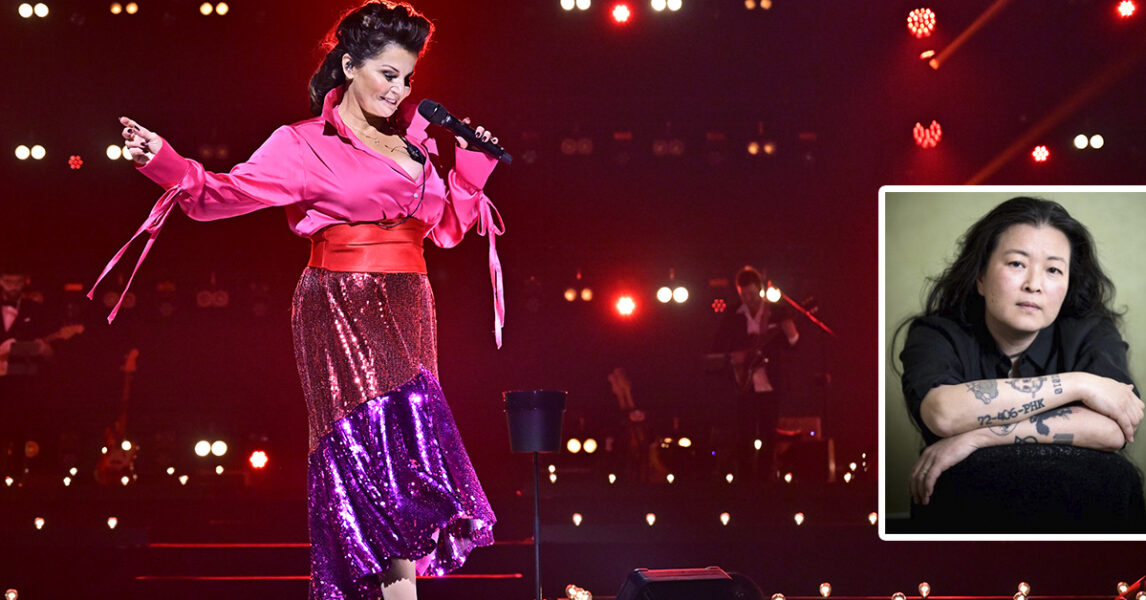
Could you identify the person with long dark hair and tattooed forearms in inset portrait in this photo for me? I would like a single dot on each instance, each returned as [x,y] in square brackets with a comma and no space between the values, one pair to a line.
[1018,346]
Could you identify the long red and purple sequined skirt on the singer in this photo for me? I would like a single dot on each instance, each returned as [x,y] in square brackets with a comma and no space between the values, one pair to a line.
[388,476]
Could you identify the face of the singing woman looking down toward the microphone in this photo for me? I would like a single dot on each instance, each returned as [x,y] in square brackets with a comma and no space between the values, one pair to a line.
[382,83]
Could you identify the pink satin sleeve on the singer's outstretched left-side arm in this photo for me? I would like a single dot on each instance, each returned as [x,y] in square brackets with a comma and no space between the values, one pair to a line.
[273,177]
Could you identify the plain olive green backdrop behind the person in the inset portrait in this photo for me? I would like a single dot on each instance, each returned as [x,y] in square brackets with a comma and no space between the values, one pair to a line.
[922,232]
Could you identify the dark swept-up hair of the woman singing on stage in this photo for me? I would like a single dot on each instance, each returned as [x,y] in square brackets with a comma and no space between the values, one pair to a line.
[363,34]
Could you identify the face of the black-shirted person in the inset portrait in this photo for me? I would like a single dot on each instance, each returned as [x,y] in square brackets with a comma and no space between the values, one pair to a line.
[1025,283]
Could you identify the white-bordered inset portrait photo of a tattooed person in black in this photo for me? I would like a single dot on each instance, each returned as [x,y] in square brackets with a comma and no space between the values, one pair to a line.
[1012,337]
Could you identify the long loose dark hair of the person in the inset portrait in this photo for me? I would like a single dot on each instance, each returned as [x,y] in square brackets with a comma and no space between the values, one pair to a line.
[954,294]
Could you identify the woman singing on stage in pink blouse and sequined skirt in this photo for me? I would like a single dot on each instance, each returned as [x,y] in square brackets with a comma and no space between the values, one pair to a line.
[393,493]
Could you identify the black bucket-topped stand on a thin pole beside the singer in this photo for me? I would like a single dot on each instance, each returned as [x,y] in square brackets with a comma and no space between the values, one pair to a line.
[535,420]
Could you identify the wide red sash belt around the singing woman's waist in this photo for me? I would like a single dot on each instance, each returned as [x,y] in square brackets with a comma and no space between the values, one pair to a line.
[370,248]
